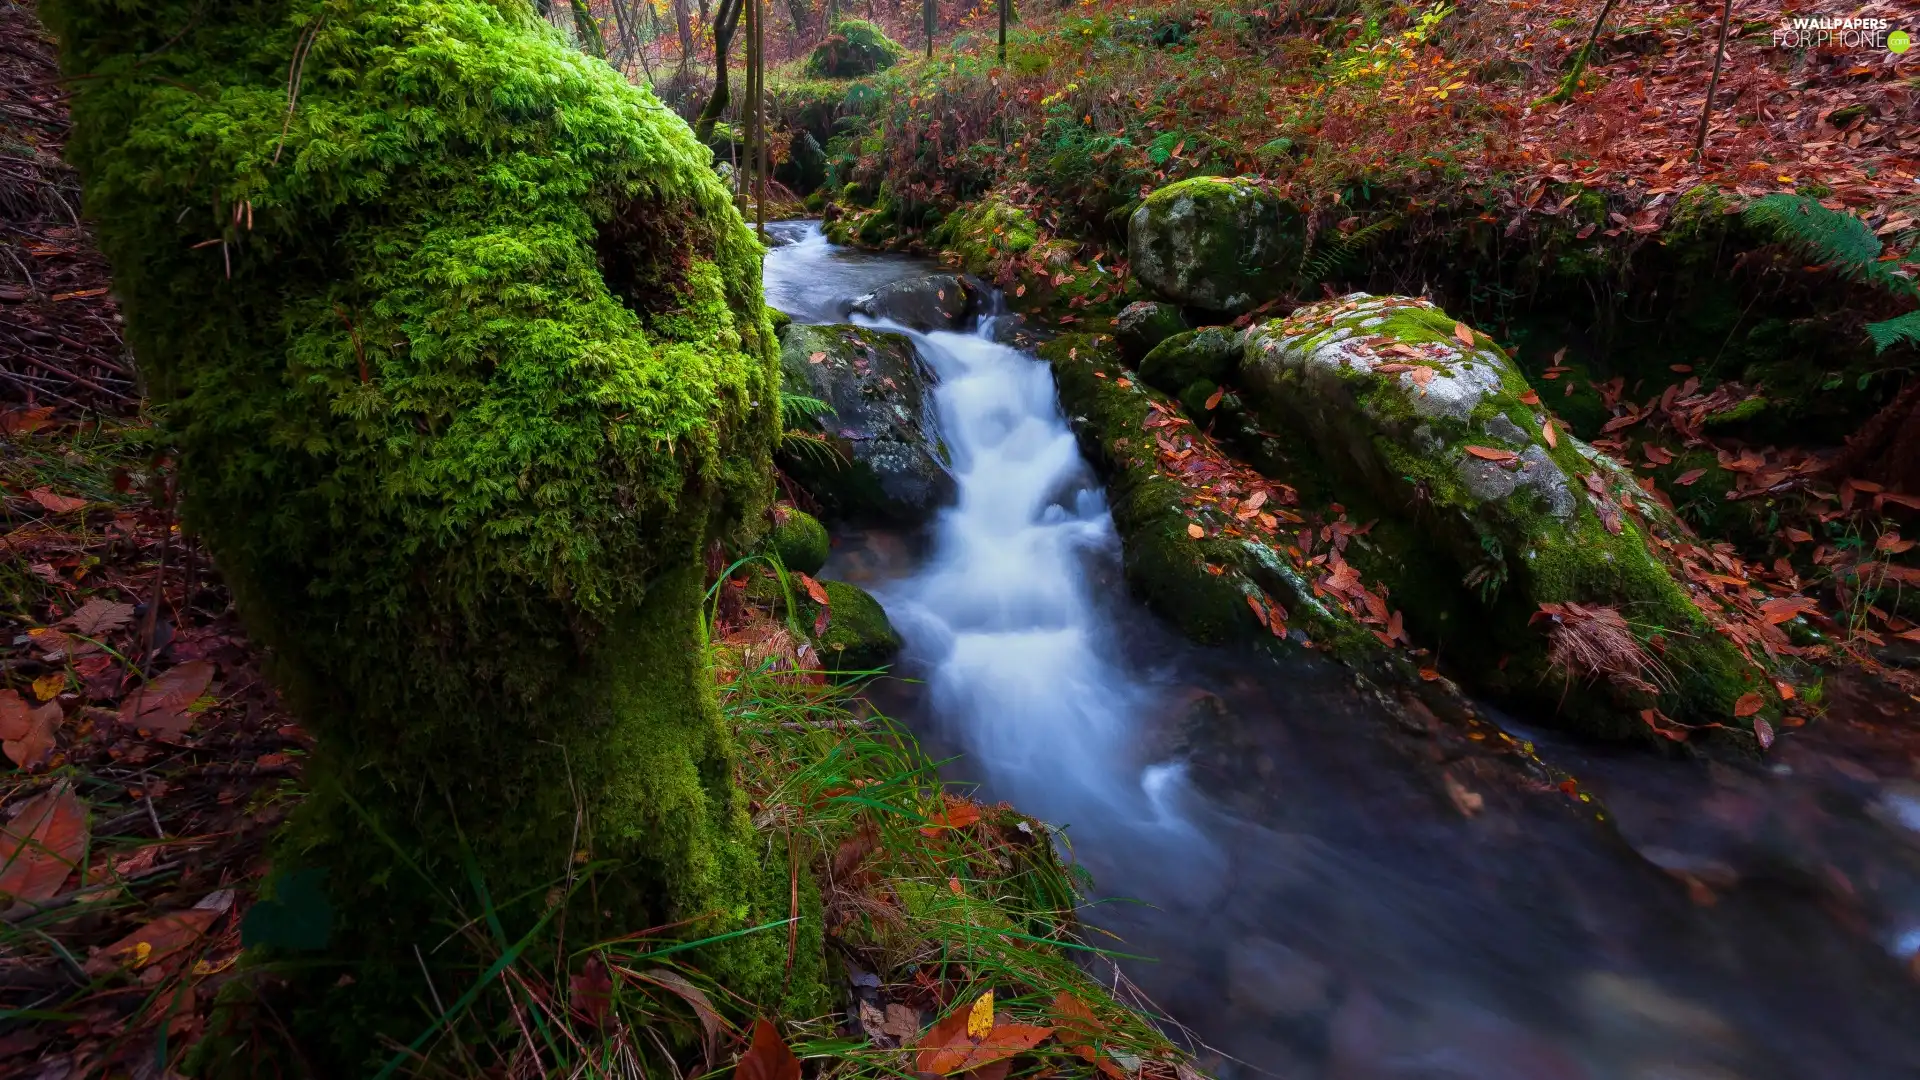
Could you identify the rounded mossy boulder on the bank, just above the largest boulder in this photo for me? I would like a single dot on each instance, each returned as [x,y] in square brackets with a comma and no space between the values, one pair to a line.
[1214,243]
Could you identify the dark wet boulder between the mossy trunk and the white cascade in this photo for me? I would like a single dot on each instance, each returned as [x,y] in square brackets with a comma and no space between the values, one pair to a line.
[884,458]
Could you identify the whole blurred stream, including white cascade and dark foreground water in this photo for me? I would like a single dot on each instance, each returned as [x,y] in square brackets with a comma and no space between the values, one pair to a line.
[1308,906]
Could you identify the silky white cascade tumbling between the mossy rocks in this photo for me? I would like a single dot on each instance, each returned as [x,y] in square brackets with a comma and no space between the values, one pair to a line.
[1020,662]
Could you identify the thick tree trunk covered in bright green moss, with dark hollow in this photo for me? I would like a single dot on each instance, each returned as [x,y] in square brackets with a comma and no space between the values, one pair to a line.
[464,351]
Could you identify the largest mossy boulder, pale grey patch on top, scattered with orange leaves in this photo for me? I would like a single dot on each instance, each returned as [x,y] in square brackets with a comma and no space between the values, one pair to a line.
[1401,405]
